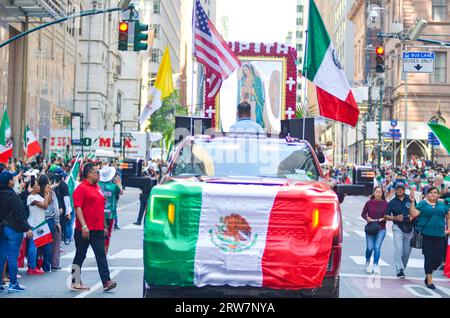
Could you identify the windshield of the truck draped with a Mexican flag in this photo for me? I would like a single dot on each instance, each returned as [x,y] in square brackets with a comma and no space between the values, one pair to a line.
[237,157]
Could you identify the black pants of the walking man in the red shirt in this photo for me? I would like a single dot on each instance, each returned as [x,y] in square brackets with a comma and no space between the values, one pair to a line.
[97,242]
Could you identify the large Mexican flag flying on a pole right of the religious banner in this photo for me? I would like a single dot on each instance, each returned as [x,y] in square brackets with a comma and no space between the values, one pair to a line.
[322,67]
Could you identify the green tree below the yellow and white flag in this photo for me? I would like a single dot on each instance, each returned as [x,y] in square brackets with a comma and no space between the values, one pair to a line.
[163,120]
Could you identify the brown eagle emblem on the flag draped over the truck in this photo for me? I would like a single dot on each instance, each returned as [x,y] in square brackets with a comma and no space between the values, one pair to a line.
[233,234]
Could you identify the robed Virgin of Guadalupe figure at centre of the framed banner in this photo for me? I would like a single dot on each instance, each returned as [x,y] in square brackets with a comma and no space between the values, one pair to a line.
[251,90]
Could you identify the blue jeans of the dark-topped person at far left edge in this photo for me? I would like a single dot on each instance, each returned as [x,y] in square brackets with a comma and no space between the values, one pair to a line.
[10,243]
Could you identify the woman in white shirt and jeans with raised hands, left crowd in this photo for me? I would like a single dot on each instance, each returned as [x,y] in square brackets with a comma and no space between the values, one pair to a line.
[37,205]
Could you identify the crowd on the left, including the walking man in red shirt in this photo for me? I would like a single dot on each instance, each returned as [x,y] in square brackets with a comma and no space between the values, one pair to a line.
[34,192]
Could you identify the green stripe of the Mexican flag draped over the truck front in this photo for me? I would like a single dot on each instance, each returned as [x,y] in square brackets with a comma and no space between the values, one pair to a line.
[169,249]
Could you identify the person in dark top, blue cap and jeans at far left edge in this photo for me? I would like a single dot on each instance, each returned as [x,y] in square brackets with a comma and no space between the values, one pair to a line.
[12,216]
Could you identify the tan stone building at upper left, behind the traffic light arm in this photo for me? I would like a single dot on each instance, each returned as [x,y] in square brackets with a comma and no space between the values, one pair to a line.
[37,72]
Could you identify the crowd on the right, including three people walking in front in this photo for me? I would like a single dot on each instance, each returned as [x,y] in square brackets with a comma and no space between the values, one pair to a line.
[414,198]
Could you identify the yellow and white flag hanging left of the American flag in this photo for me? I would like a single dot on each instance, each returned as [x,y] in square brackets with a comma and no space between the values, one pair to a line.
[163,87]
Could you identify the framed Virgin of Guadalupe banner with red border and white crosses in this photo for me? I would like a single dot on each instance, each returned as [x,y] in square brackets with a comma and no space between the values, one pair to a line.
[267,80]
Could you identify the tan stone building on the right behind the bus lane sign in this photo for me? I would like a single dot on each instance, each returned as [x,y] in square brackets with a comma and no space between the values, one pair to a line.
[427,94]
